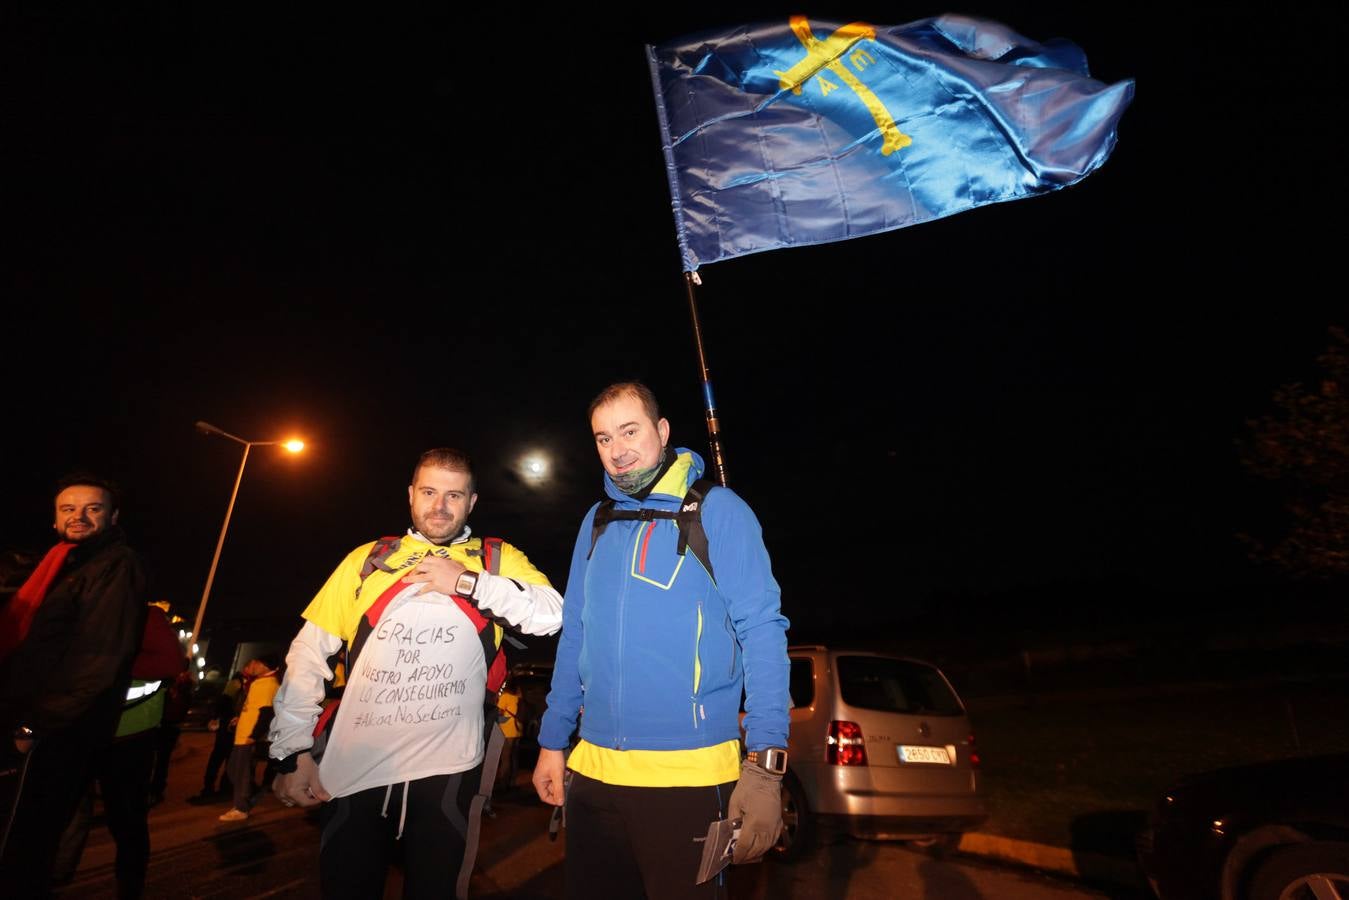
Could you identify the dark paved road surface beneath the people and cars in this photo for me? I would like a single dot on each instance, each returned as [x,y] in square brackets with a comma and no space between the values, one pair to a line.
[276,855]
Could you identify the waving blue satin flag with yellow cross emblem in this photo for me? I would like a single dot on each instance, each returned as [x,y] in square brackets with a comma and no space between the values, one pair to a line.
[803,133]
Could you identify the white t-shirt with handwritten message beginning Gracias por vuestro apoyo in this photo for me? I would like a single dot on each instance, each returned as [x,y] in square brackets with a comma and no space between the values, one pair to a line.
[413,704]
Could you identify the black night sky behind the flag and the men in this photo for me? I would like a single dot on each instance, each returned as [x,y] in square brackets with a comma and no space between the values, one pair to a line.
[385,235]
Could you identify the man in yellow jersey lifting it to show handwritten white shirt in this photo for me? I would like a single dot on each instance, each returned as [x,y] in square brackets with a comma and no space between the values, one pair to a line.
[404,754]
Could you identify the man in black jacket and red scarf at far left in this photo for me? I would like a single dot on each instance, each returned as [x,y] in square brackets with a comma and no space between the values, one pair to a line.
[64,685]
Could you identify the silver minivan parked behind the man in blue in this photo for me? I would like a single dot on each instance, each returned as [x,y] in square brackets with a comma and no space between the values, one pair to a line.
[880,747]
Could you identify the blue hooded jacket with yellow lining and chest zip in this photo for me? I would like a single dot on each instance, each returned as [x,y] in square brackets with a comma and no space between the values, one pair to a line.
[654,651]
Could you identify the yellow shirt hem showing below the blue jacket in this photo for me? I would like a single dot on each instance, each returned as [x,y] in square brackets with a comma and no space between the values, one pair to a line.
[699,768]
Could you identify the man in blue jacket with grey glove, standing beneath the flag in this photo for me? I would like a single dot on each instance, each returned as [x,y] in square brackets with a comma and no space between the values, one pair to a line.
[654,656]
